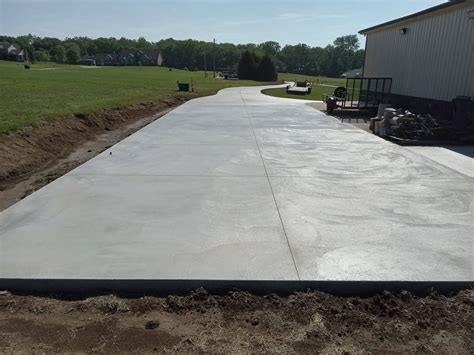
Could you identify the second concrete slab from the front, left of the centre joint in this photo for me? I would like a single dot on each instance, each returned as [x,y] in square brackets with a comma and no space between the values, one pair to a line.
[177,160]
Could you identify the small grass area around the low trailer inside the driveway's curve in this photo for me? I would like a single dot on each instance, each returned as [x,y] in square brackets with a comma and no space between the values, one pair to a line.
[327,86]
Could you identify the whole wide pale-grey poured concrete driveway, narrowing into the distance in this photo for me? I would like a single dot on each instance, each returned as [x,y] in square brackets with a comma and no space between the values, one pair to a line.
[242,186]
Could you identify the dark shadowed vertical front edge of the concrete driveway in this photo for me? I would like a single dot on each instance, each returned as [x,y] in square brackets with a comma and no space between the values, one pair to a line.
[138,288]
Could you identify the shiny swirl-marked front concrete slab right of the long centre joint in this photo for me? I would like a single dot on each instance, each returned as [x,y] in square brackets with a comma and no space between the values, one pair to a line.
[376,229]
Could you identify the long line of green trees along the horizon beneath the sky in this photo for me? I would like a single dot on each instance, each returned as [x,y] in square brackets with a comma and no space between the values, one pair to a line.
[342,55]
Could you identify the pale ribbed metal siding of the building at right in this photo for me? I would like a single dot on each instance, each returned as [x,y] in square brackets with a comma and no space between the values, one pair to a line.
[434,59]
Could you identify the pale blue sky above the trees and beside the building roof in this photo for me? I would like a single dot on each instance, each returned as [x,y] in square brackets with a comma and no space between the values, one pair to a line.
[314,22]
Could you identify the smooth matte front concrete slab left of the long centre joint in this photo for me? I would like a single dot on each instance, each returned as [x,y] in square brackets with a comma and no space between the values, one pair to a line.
[132,227]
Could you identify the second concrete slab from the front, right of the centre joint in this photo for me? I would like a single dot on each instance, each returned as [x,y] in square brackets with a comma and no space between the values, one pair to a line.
[350,160]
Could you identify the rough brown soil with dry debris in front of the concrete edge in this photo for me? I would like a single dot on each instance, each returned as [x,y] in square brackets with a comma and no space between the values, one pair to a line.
[239,322]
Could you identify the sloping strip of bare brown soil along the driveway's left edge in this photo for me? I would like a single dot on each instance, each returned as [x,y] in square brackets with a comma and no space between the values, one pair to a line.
[34,156]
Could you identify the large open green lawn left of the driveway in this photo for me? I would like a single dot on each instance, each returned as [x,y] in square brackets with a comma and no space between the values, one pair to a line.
[49,91]
